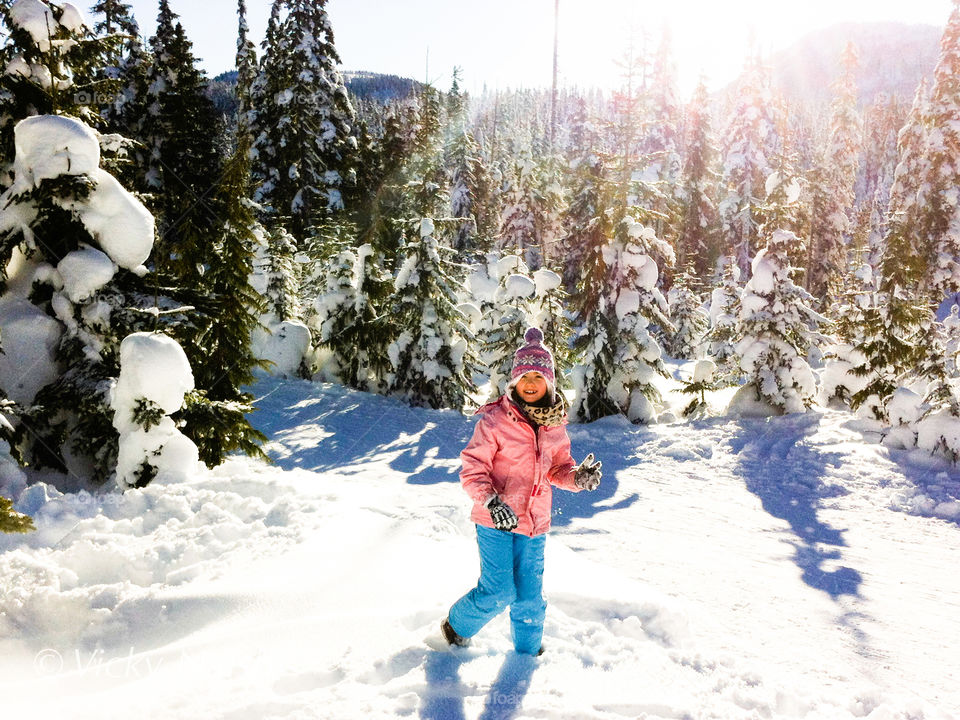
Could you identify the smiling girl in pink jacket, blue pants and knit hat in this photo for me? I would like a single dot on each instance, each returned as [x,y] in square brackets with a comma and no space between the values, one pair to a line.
[519,449]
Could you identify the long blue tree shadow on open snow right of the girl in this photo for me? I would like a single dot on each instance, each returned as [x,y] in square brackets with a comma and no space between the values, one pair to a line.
[787,474]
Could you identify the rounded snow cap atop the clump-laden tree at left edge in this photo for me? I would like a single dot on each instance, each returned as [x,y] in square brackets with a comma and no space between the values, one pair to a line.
[48,146]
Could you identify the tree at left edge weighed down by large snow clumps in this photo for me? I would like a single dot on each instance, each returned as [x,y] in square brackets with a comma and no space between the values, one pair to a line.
[72,247]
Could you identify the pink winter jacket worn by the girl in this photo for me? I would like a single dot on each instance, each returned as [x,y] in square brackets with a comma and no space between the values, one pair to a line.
[505,457]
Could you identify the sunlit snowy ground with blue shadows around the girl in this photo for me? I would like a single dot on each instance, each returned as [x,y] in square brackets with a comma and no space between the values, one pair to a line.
[781,568]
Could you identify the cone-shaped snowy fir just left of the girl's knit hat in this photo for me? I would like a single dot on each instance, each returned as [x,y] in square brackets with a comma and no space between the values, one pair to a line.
[430,363]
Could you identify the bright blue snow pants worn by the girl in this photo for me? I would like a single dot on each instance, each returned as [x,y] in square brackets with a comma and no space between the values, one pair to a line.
[511,573]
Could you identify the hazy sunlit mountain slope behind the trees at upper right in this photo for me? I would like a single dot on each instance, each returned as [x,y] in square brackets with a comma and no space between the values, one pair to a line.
[893,58]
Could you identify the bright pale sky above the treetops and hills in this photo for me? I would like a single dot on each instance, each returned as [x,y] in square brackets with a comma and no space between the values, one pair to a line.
[509,43]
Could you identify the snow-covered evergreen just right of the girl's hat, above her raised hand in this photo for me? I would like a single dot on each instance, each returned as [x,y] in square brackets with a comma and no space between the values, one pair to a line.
[619,354]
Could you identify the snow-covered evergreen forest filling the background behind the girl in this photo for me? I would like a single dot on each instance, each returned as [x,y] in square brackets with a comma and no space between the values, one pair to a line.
[400,238]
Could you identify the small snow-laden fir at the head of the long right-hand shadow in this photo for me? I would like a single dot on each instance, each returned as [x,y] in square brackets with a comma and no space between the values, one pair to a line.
[774,329]
